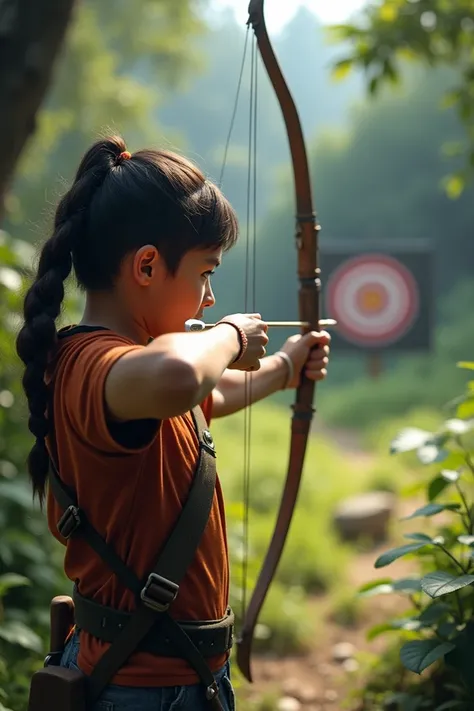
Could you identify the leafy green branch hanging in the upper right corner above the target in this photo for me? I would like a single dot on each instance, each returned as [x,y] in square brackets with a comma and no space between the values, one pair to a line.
[394,33]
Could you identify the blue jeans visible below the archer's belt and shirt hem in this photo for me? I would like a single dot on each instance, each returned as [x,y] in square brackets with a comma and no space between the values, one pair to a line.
[170,698]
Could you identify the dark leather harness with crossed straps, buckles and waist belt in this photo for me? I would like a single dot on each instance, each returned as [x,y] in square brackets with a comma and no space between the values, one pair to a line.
[150,627]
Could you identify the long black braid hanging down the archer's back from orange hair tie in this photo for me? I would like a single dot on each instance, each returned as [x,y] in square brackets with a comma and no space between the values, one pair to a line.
[38,336]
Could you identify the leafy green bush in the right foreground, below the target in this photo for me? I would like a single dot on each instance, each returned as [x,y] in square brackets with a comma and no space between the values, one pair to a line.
[438,631]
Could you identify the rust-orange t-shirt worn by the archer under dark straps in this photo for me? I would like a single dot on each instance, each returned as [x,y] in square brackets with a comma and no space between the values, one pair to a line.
[131,479]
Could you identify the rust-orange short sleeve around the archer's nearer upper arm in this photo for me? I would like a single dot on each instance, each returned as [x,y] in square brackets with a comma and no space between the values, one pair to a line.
[79,395]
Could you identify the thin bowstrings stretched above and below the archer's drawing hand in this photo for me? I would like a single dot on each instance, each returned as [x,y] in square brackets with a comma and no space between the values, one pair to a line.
[250,284]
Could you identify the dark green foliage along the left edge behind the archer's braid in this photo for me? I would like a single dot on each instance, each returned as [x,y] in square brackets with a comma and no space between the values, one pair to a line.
[30,559]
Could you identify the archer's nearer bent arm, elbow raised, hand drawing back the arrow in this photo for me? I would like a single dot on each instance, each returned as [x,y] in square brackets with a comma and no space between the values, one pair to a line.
[178,371]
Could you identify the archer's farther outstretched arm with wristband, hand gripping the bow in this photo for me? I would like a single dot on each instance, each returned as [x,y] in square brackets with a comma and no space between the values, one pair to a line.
[309,353]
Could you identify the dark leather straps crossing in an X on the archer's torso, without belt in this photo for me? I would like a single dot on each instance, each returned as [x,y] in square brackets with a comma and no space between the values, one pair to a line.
[162,585]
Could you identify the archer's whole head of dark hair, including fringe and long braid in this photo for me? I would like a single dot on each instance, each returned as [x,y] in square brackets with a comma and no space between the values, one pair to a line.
[117,203]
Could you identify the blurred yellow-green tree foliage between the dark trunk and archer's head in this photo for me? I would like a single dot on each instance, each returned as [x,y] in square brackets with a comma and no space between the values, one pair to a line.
[116,68]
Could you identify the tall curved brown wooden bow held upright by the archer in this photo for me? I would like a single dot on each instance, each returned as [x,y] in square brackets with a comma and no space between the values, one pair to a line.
[308,274]
